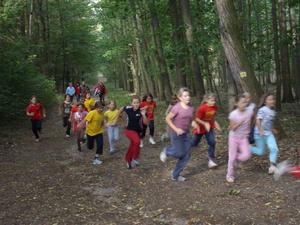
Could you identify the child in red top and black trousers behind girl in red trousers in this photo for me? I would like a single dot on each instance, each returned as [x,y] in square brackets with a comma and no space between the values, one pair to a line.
[149,105]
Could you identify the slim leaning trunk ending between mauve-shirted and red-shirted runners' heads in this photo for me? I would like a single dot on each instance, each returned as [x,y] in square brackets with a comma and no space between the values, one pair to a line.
[198,80]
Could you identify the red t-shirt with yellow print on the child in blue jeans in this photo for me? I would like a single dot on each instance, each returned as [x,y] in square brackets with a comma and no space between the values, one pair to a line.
[206,113]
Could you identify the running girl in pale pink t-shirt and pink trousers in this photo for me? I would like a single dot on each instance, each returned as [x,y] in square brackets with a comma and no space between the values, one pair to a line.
[238,144]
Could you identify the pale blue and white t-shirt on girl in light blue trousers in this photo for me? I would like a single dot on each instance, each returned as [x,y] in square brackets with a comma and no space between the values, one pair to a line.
[267,116]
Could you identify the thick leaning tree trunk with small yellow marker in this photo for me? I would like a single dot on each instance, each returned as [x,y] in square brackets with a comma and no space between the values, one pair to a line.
[242,73]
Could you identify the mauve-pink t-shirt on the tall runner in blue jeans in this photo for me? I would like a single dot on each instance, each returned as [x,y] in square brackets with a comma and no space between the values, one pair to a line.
[183,116]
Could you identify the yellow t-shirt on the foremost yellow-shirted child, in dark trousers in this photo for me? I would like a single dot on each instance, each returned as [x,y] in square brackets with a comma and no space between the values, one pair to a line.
[95,121]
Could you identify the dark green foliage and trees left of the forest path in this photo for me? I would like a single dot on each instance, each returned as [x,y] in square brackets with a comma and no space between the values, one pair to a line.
[62,46]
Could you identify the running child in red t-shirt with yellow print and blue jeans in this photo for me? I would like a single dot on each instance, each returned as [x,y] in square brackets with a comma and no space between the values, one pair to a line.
[205,117]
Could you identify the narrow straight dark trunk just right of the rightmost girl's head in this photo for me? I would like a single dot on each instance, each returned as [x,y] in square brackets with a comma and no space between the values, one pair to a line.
[284,51]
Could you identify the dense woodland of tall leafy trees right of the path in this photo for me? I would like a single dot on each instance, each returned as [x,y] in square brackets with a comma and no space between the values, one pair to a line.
[158,46]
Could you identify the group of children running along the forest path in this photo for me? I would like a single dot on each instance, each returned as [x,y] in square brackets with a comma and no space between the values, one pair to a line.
[247,121]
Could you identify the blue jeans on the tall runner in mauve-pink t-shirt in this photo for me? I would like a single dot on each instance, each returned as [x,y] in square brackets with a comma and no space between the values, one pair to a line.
[179,149]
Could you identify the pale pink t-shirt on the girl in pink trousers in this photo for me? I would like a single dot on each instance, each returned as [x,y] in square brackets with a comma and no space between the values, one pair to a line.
[237,116]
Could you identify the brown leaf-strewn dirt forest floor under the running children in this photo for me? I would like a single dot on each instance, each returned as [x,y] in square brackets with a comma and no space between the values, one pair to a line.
[52,183]
